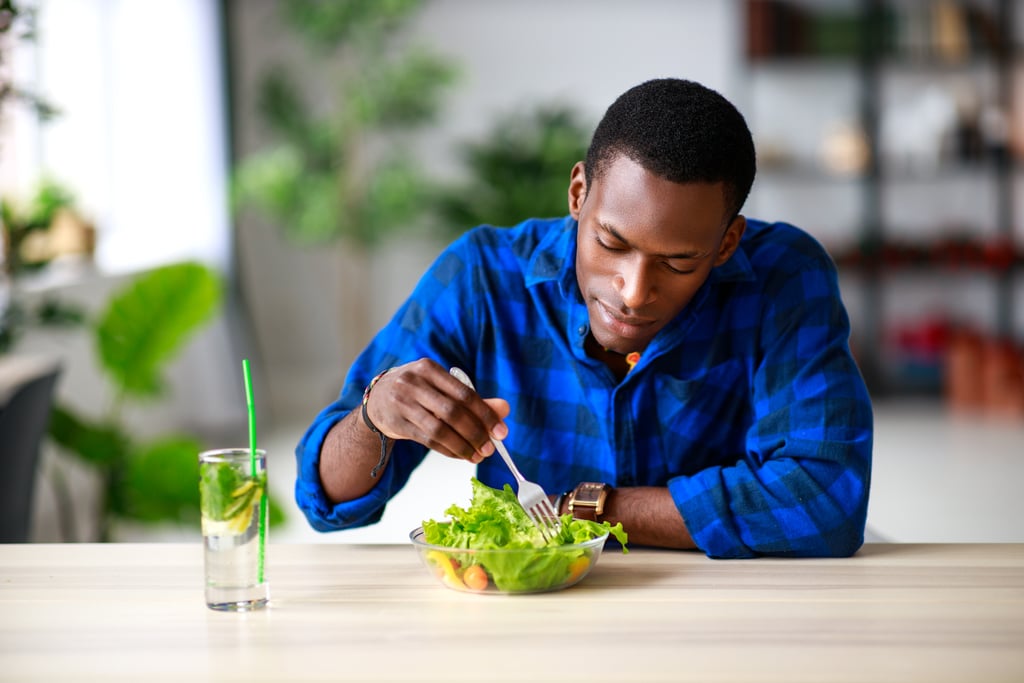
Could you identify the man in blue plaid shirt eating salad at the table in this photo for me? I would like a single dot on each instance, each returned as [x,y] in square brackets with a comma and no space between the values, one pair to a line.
[666,362]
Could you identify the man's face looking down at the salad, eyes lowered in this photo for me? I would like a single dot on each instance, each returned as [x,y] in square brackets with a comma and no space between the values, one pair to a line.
[646,245]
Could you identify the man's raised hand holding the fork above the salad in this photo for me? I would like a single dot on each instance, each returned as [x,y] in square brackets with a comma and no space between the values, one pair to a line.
[422,402]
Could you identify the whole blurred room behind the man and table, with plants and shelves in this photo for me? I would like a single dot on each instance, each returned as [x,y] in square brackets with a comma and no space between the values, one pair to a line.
[190,183]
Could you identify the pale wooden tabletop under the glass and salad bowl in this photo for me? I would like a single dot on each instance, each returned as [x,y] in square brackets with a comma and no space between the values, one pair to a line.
[894,613]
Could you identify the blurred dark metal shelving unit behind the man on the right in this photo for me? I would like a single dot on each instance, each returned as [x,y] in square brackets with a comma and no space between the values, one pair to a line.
[874,258]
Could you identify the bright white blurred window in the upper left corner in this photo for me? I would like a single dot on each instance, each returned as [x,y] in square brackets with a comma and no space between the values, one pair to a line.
[142,138]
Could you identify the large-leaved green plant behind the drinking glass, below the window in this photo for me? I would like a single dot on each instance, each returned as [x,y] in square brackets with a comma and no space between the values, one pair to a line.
[142,329]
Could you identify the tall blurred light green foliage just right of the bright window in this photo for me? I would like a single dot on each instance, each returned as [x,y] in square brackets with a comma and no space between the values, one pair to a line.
[343,172]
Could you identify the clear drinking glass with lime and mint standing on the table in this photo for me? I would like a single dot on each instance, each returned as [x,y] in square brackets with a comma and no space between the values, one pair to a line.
[233,501]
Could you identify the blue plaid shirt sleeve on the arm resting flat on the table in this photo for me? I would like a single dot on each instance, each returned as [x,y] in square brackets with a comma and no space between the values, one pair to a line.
[802,488]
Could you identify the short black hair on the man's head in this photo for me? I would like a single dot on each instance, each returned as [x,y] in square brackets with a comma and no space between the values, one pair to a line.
[681,132]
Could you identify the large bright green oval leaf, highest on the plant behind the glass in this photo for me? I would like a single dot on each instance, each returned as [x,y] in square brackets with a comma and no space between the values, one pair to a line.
[146,325]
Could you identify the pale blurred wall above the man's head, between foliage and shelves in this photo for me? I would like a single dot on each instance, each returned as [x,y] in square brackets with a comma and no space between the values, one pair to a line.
[581,53]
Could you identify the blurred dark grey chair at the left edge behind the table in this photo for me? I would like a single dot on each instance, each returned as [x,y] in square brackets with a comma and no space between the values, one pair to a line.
[26,399]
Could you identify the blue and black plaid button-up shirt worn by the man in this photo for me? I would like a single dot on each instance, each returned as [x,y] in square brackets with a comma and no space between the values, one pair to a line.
[748,406]
